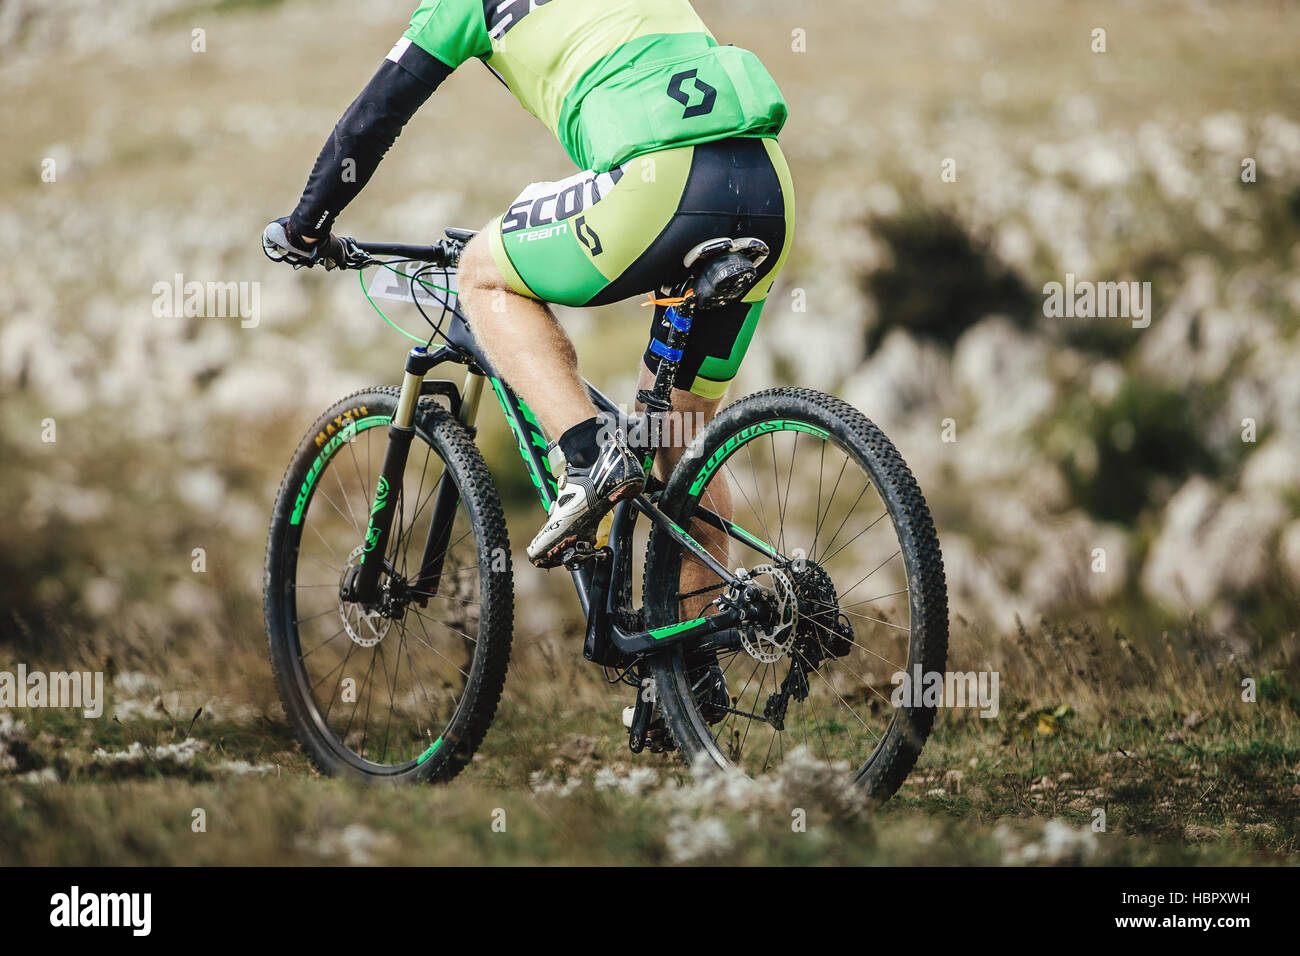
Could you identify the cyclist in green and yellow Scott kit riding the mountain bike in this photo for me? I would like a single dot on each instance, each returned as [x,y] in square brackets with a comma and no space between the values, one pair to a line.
[677,140]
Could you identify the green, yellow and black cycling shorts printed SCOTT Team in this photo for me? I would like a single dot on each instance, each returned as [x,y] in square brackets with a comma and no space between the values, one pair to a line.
[596,239]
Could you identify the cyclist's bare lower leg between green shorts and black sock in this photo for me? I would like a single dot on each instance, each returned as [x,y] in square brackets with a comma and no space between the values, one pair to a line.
[523,341]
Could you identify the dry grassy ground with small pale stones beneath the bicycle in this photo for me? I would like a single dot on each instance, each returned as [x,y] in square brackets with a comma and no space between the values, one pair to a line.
[1147,739]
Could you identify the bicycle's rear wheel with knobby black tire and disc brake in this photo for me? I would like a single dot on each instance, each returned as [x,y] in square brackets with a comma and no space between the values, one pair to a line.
[827,504]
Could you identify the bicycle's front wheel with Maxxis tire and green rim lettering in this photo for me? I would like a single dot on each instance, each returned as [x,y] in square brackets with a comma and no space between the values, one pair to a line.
[476,594]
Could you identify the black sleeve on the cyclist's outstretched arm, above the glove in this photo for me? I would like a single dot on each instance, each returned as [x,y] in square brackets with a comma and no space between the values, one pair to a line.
[370,127]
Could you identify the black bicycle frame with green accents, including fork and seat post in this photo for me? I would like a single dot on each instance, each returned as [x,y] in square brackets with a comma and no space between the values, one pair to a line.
[604,582]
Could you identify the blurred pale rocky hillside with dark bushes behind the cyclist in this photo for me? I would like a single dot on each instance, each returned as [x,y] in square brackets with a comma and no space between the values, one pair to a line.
[951,159]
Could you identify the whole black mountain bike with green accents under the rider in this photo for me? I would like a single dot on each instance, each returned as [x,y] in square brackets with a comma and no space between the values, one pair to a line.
[389,582]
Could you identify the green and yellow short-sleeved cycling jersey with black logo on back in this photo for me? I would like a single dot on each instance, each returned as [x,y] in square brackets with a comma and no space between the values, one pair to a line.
[610,79]
